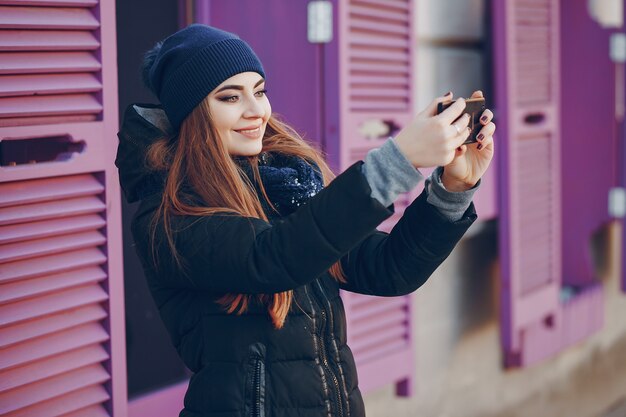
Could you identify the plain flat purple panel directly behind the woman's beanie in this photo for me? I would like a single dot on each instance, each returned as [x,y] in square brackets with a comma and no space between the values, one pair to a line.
[277,31]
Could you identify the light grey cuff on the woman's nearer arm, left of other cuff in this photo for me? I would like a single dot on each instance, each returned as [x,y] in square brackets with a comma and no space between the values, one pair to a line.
[389,173]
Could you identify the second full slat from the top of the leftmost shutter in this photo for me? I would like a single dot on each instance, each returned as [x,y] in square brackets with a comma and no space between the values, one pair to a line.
[48,40]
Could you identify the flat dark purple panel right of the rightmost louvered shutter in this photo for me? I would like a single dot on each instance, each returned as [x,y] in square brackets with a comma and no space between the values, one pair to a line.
[589,139]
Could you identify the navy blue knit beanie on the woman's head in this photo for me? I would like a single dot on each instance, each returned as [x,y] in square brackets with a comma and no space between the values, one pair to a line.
[185,67]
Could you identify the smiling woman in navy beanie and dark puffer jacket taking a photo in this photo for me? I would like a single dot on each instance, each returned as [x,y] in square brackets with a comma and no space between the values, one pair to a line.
[246,237]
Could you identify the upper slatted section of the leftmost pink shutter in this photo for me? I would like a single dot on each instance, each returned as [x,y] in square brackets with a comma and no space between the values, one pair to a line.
[50,70]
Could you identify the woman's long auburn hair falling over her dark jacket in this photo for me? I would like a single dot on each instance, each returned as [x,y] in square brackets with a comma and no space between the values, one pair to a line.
[196,157]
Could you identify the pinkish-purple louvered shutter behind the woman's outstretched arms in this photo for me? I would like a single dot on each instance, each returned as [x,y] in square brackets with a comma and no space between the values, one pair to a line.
[376,73]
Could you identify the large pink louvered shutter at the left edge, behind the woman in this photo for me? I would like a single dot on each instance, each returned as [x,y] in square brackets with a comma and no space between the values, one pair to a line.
[62,348]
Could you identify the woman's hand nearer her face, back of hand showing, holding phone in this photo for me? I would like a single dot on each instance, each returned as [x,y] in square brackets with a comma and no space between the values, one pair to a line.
[431,139]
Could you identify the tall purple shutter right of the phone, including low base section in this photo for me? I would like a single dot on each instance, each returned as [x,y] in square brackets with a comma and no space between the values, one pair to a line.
[534,322]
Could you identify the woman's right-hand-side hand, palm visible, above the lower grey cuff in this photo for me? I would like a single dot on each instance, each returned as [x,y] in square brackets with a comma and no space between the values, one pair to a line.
[471,161]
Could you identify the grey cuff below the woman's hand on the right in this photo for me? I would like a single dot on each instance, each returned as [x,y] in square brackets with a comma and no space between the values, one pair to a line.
[451,204]
